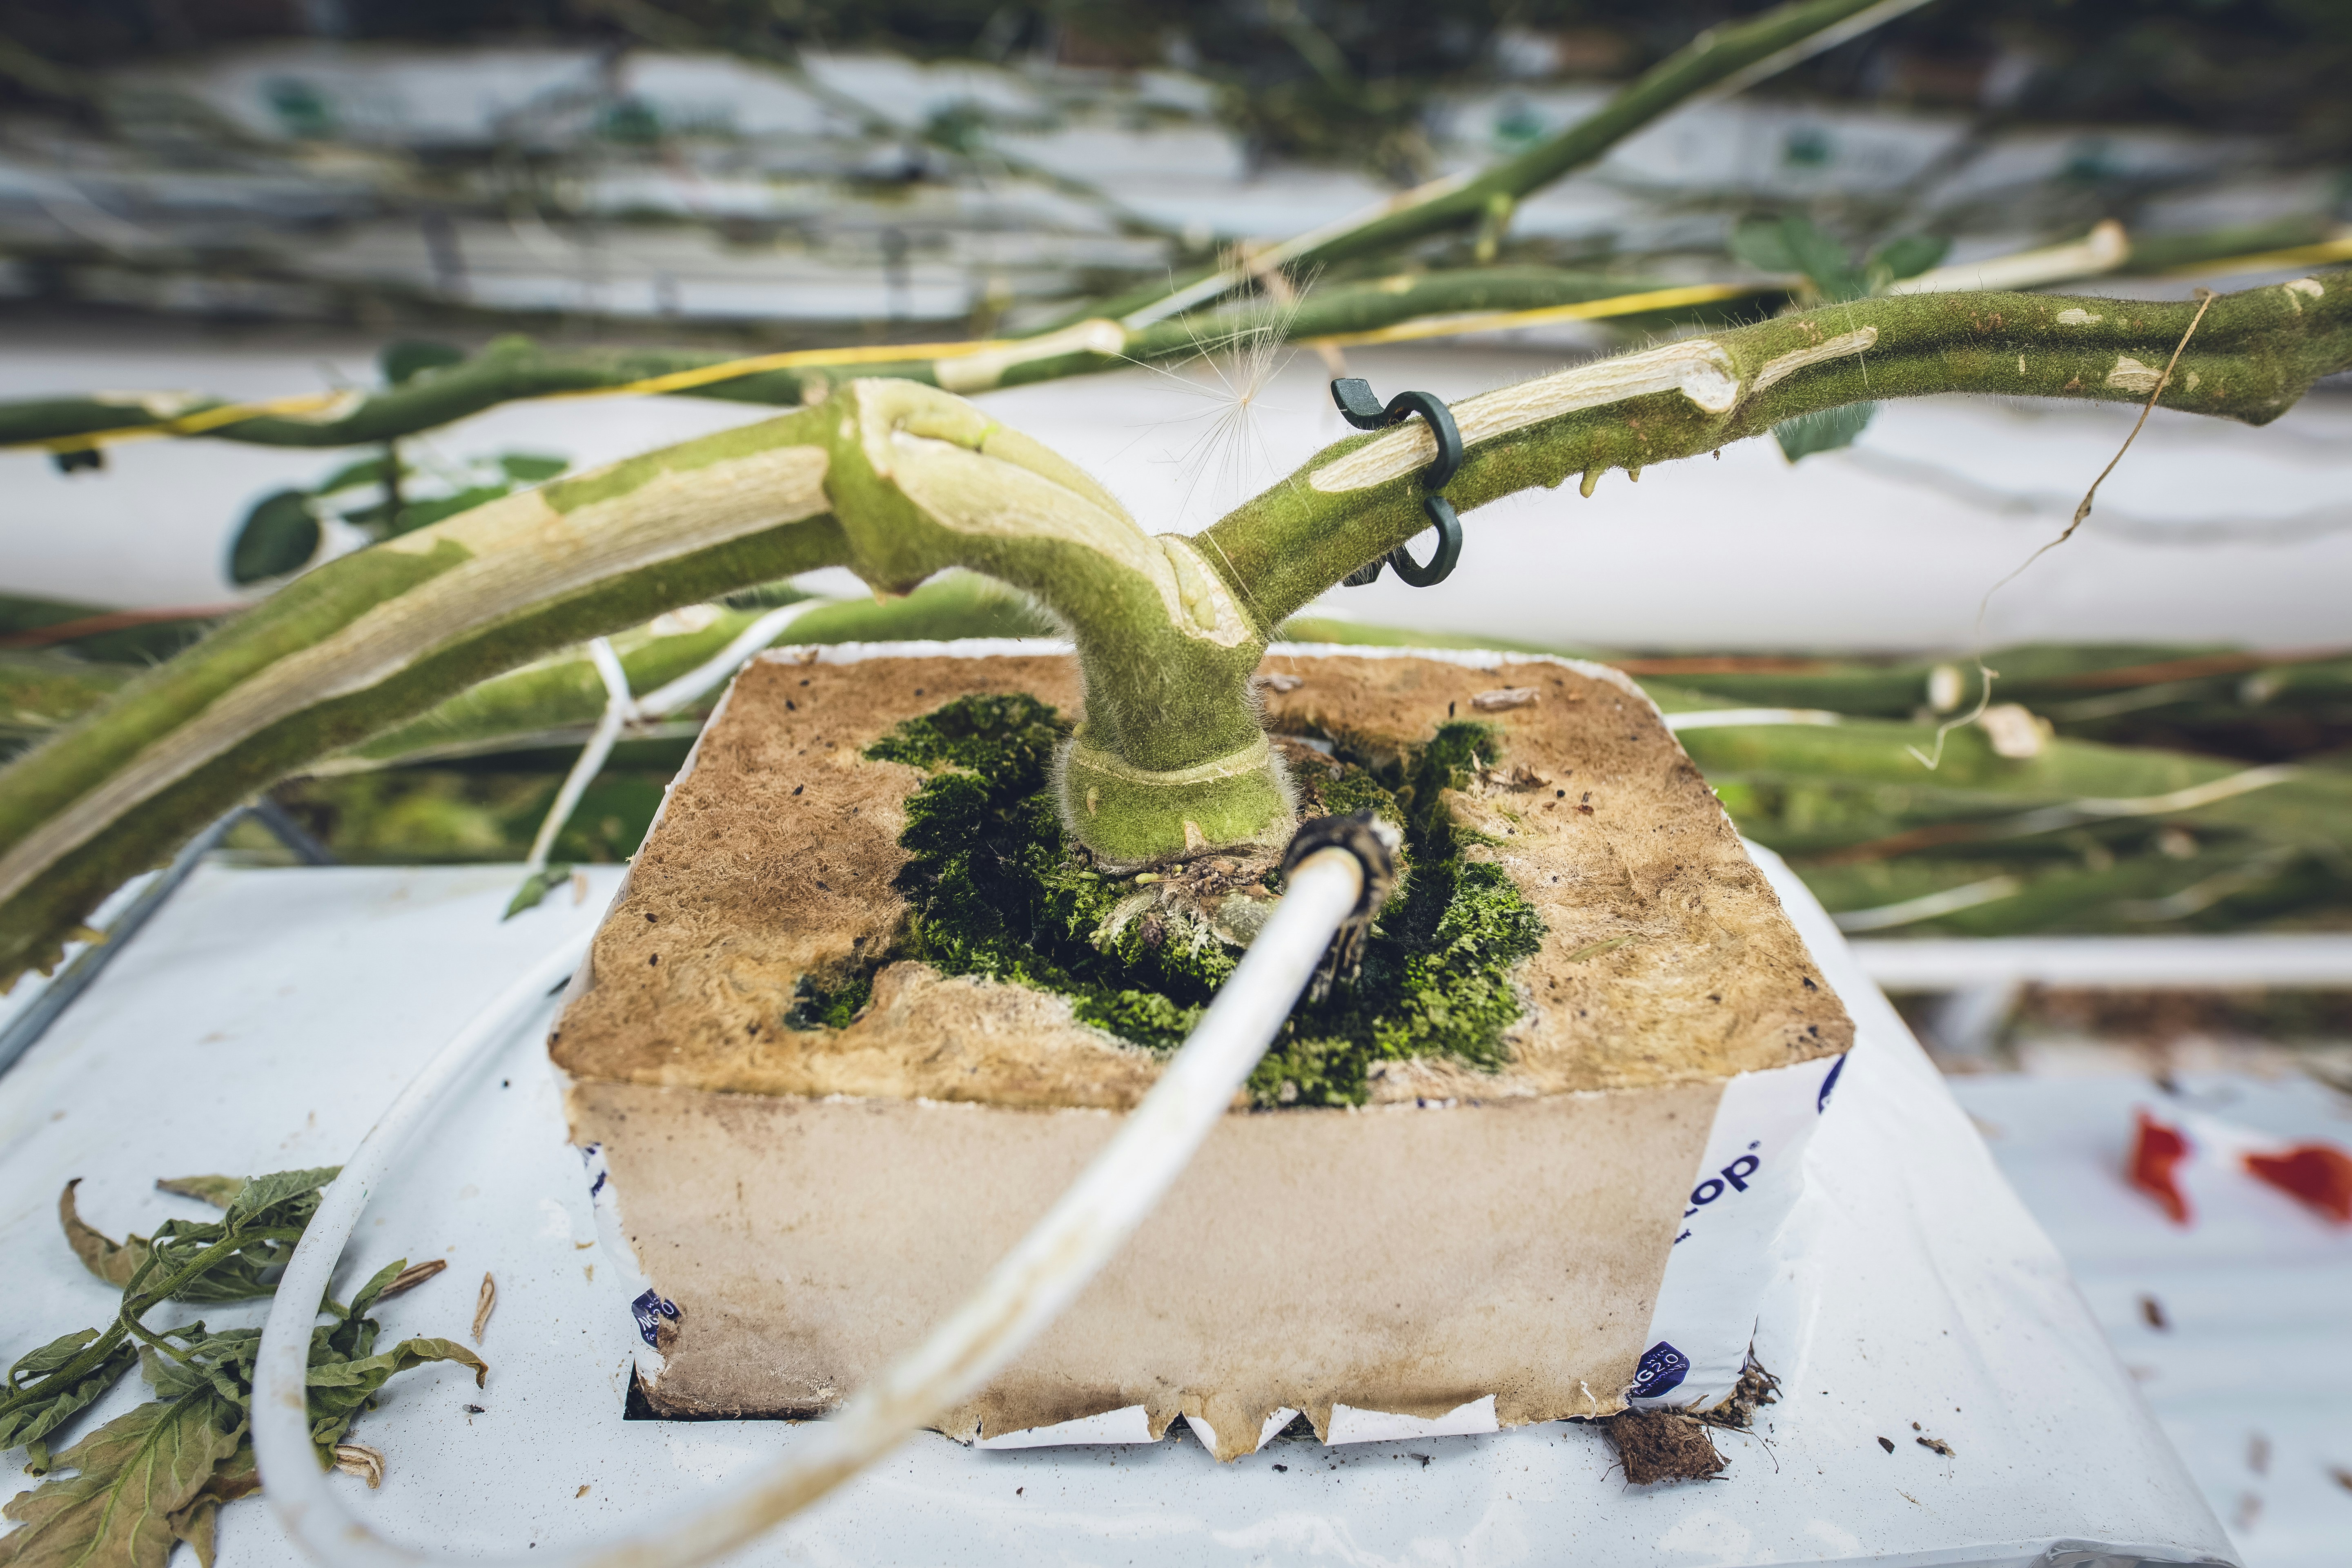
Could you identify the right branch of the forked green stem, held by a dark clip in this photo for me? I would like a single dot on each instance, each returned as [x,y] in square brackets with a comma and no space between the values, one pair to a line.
[2252,359]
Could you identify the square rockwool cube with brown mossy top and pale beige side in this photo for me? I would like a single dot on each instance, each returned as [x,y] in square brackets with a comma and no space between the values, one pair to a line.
[862,1012]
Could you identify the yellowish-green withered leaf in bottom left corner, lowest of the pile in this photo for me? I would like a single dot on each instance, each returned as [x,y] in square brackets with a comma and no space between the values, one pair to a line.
[135,1475]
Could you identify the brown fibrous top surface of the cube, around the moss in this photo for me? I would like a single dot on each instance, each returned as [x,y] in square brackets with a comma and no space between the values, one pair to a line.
[773,866]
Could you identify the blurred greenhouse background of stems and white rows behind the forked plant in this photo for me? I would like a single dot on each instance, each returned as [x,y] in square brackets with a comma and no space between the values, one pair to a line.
[250,201]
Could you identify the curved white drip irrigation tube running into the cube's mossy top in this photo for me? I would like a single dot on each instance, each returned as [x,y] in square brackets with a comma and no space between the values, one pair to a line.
[1027,1292]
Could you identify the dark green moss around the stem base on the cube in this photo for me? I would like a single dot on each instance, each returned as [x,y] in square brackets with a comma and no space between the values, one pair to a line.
[996,890]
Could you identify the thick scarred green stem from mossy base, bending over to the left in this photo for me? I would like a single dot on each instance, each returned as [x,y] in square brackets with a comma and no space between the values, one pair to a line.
[888,478]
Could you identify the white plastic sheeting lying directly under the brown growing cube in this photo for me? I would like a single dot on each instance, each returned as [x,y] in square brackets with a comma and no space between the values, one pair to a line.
[267,1017]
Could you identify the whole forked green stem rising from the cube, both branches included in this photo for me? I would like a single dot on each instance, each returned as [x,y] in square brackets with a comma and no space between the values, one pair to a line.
[900,481]
